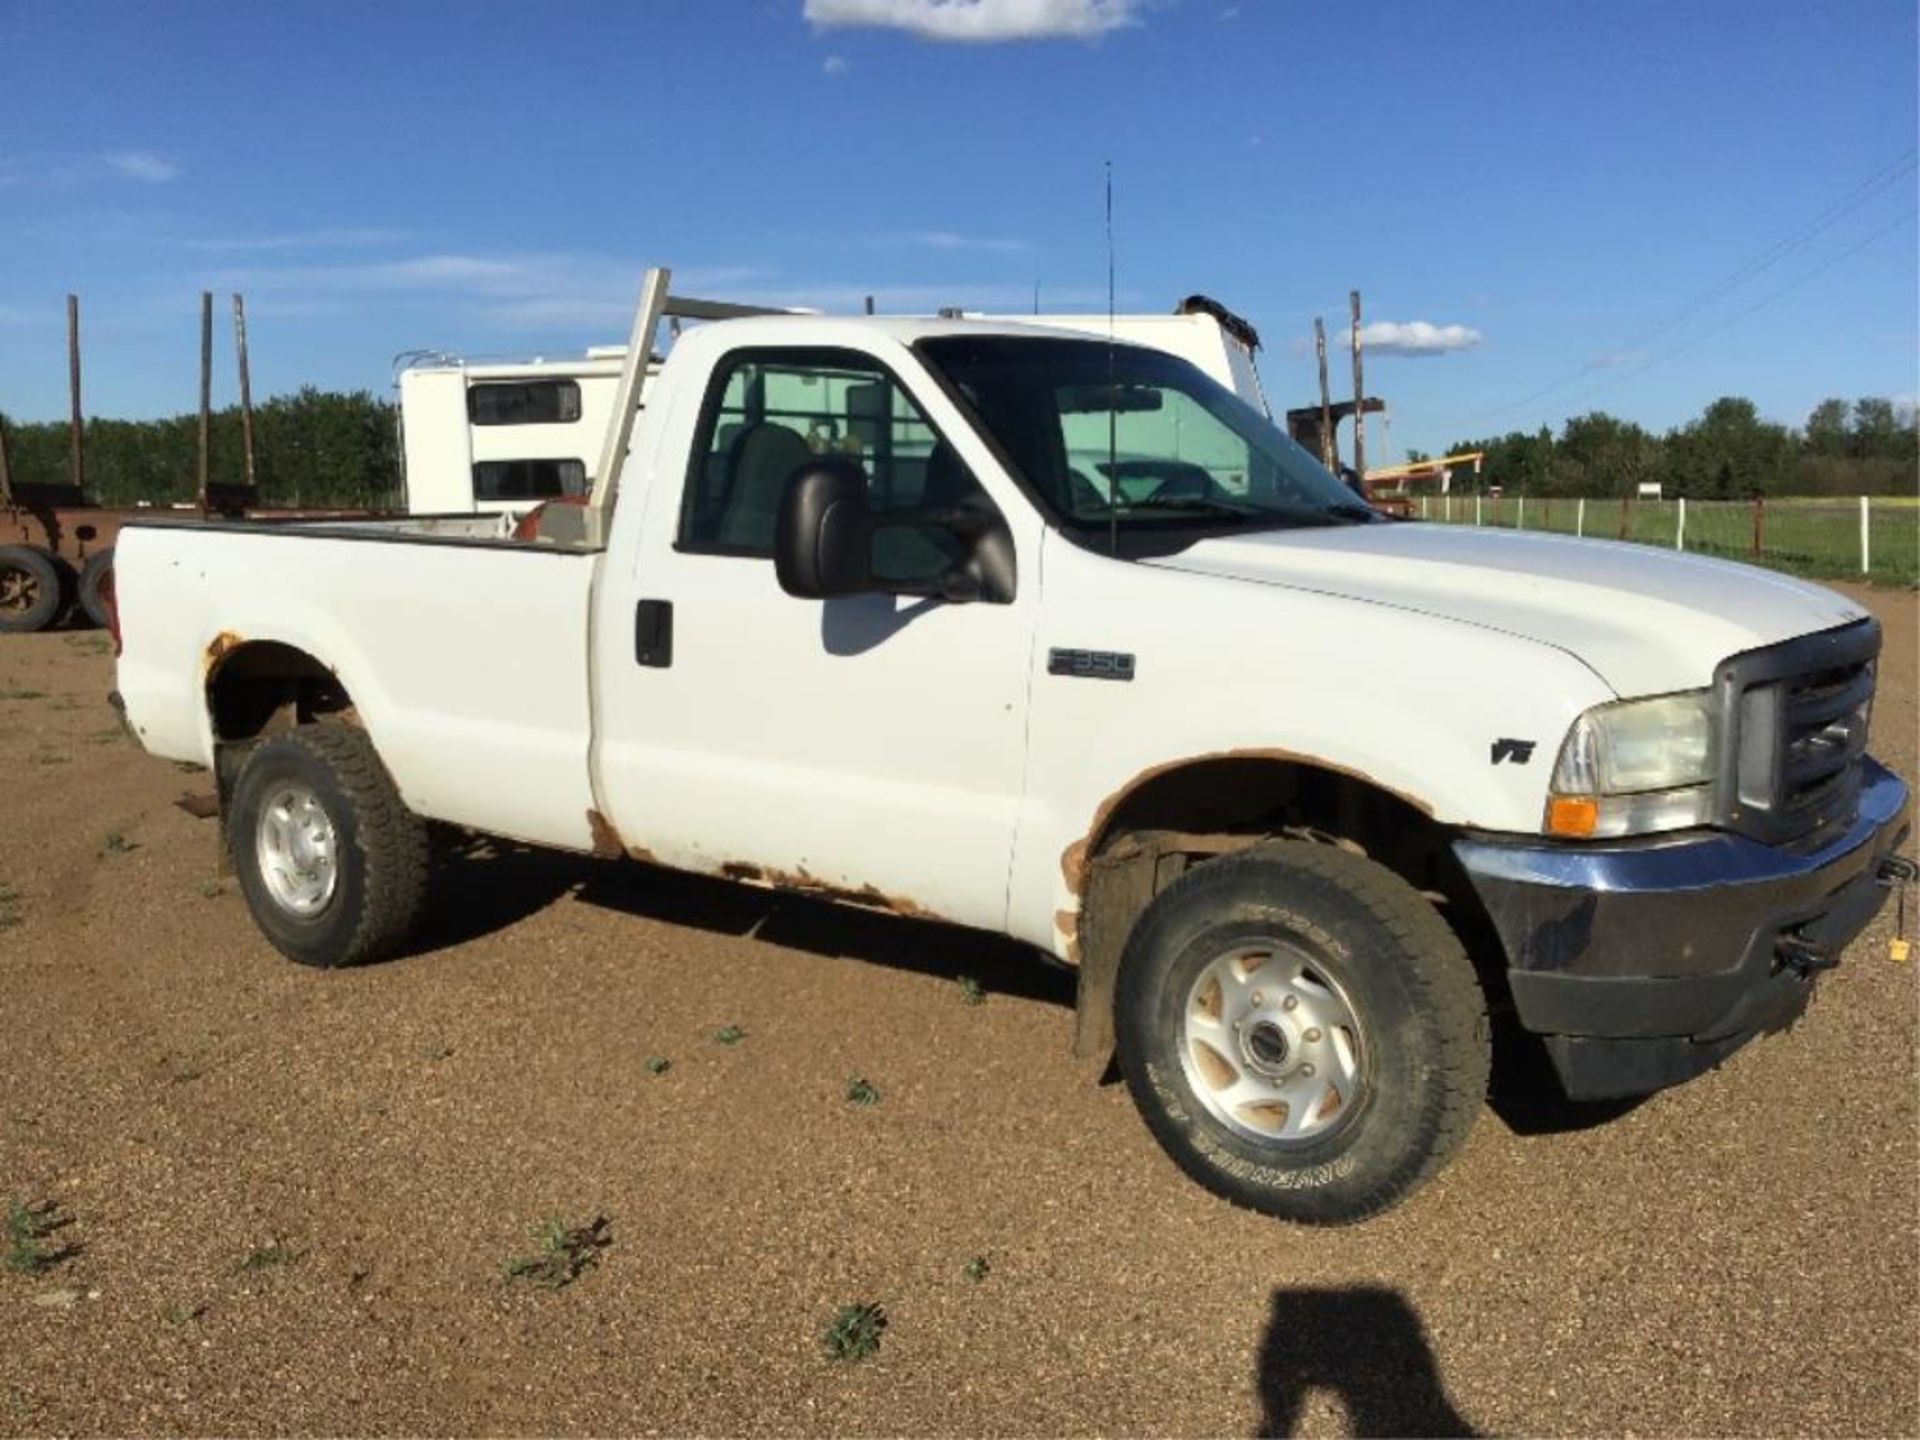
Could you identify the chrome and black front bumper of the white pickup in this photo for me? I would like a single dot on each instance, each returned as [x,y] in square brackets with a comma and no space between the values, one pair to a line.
[1646,963]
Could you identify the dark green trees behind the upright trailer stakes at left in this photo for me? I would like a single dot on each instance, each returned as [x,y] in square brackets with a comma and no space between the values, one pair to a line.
[316,448]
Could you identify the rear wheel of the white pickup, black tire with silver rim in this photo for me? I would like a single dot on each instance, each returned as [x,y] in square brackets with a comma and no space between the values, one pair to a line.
[331,861]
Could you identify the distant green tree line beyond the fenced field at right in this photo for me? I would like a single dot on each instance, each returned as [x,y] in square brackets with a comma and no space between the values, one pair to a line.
[1729,452]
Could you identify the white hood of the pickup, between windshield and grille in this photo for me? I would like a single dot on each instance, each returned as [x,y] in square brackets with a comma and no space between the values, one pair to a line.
[1644,619]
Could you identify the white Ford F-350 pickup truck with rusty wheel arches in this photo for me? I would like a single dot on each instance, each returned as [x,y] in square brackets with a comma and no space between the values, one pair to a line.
[1059,638]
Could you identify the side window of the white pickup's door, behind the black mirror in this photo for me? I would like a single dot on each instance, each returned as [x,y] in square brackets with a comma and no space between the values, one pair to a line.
[773,412]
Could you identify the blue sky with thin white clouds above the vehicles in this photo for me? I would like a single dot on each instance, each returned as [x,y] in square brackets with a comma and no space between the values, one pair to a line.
[1550,208]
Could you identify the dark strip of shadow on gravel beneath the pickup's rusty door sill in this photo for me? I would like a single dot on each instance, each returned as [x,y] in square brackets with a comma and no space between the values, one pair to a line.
[924,948]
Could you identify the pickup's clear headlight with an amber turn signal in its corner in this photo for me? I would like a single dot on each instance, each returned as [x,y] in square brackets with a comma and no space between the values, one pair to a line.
[1635,767]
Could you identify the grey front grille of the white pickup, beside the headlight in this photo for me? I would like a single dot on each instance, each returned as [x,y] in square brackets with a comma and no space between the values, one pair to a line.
[1794,731]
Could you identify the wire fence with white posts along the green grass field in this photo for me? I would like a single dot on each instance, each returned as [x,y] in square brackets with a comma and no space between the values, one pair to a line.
[1867,539]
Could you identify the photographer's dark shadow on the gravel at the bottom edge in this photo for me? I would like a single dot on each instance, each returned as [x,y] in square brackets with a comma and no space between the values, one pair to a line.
[1364,1345]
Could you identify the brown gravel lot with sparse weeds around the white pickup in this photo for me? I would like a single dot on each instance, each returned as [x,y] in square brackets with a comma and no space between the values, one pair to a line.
[295,1193]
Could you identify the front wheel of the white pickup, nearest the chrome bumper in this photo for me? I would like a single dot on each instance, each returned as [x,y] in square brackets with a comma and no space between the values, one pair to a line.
[1216,1005]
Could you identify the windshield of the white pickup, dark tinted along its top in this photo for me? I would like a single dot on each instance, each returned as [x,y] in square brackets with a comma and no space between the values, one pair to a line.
[1136,439]
